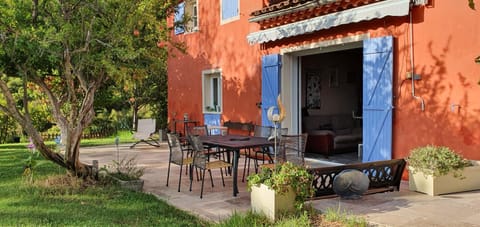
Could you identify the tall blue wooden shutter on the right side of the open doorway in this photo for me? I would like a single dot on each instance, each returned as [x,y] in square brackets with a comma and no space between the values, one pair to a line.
[377,98]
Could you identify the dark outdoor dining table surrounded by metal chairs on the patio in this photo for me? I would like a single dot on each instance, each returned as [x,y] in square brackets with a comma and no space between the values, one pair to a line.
[235,143]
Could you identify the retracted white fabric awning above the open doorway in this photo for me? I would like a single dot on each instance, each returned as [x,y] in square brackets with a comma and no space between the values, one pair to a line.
[363,13]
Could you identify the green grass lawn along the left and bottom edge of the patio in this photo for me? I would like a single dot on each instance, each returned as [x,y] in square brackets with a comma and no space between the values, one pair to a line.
[53,199]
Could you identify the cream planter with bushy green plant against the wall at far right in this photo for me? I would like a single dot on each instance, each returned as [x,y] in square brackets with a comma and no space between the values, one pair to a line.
[436,170]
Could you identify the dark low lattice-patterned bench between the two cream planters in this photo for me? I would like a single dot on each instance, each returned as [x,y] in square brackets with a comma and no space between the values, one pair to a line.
[384,176]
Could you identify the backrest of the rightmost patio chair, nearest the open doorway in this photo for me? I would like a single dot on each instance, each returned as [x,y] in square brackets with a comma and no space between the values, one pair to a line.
[292,148]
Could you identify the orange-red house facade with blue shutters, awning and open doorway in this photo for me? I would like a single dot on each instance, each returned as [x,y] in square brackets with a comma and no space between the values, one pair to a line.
[400,73]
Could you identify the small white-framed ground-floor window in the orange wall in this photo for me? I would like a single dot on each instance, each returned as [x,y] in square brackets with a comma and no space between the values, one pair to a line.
[210,79]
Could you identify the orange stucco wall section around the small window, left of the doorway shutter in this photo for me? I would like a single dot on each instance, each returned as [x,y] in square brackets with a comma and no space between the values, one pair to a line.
[223,47]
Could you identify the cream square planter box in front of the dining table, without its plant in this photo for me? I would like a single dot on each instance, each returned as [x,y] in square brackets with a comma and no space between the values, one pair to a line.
[270,203]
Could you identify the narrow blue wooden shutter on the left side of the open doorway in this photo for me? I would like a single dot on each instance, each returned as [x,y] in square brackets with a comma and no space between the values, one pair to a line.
[270,84]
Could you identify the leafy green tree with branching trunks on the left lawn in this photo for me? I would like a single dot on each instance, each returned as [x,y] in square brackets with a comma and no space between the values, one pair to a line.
[69,49]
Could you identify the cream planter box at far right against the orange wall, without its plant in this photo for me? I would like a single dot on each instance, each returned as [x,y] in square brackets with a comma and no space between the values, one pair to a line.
[445,184]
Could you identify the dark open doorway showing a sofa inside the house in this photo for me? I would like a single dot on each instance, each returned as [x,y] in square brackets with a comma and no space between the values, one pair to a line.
[331,104]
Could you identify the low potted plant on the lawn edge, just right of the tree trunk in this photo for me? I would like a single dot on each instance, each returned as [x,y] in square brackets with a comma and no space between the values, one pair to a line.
[125,173]
